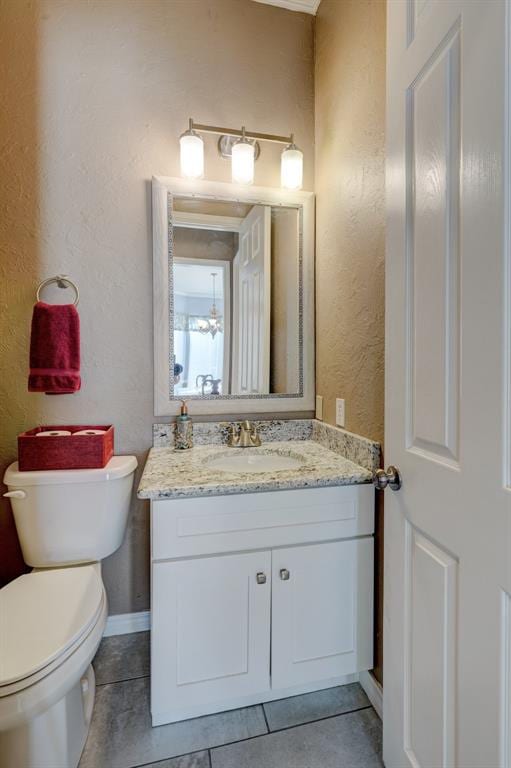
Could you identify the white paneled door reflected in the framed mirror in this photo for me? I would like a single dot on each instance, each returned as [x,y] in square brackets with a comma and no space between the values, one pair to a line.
[251,304]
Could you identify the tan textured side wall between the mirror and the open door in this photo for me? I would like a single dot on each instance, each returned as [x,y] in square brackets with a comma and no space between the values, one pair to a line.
[350,119]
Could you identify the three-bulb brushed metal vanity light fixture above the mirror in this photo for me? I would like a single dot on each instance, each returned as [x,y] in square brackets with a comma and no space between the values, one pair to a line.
[242,148]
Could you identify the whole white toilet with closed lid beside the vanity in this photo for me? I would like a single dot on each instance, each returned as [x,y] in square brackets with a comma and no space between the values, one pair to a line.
[52,619]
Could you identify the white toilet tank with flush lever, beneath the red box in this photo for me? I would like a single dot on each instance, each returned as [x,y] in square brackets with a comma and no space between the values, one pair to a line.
[64,517]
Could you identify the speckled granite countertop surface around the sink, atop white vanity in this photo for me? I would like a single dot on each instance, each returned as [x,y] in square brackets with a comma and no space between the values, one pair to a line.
[174,474]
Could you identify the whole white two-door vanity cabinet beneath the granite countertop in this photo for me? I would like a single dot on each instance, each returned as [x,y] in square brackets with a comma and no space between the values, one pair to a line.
[258,596]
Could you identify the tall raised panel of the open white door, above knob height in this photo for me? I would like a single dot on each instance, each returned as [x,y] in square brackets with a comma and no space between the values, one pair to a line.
[433,188]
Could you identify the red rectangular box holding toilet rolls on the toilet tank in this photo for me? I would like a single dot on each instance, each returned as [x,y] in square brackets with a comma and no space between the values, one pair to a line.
[65,451]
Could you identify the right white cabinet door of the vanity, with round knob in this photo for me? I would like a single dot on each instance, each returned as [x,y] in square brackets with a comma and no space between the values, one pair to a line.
[322,611]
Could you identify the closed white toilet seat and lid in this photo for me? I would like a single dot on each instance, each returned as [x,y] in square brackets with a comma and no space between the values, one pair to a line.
[45,616]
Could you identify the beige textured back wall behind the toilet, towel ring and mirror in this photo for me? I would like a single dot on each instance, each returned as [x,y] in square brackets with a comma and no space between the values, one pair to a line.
[94,95]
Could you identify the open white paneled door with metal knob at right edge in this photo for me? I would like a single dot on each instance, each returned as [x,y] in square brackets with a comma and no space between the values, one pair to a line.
[447,623]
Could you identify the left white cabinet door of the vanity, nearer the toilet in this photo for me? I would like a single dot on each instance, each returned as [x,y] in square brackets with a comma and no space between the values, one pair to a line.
[210,633]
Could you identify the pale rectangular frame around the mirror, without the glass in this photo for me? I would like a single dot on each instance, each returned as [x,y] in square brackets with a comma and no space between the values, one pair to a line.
[167,404]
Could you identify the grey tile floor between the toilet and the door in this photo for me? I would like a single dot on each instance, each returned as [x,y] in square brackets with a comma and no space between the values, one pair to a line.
[335,728]
